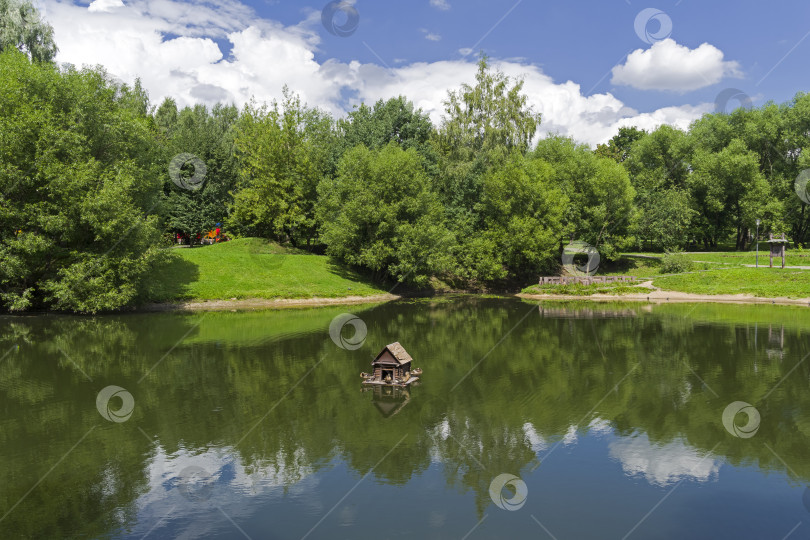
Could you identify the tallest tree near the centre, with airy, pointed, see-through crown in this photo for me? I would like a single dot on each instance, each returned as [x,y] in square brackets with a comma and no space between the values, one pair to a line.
[483,125]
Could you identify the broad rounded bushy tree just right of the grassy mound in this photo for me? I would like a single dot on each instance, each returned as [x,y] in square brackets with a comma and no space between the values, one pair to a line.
[380,213]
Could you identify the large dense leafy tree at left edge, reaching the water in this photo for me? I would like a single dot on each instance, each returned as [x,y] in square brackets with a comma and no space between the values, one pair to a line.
[78,178]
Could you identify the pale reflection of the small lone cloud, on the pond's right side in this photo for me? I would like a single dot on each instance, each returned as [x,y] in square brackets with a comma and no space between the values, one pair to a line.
[662,464]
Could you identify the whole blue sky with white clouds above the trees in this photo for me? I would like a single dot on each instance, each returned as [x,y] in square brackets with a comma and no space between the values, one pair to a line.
[589,67]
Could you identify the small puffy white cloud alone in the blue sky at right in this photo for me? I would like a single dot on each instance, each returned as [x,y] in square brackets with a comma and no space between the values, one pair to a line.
[670,66]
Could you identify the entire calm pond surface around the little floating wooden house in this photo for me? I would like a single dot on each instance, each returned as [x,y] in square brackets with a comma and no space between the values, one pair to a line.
[609,419]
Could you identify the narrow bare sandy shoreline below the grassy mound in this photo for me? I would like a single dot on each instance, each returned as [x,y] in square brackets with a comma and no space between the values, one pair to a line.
[266,303]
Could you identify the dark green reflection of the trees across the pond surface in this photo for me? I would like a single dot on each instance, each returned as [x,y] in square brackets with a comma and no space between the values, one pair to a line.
[234,382]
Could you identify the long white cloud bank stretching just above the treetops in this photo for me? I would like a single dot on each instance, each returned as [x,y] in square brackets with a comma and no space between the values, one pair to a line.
[170,45]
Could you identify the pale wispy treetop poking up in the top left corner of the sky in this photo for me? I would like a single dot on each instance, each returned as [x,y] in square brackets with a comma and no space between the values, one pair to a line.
[22,28]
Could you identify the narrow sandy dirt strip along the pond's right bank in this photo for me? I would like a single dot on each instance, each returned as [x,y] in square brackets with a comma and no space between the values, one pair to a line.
[658,296]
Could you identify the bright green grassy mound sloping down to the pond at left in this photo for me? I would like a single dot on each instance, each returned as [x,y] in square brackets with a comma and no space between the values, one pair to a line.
[253,268]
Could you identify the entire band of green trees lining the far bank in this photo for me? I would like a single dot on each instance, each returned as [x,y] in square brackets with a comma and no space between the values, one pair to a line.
[91,188]
